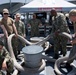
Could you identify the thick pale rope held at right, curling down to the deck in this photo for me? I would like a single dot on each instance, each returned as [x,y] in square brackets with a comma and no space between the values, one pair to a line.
[62,59]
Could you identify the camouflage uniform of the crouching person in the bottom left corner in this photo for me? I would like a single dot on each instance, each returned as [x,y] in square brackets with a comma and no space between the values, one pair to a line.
[4,55]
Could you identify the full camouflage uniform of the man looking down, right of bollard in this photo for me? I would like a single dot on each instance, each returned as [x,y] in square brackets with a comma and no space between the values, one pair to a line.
[59,25]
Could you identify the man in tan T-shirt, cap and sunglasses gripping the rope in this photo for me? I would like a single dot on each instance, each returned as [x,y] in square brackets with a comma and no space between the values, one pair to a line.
[7,24]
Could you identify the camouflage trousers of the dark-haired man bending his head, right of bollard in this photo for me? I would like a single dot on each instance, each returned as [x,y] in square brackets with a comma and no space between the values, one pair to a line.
[60,43]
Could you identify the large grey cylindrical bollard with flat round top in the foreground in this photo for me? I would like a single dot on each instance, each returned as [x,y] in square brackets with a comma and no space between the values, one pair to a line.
[33,56]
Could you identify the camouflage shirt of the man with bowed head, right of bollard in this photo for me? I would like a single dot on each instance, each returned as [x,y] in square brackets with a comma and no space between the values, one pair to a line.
[59,23]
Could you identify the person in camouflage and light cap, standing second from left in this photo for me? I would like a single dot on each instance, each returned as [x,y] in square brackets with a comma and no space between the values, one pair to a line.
[21,31]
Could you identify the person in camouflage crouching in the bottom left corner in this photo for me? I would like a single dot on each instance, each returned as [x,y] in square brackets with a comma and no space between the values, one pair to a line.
[6,63]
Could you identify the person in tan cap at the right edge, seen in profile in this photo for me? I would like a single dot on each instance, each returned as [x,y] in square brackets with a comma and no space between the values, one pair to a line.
[72,16]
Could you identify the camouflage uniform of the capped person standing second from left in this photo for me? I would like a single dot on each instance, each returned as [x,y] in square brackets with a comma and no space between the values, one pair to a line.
[21,31]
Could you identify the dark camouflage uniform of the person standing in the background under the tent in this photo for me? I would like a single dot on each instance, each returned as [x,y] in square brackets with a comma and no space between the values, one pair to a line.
[34,27]
